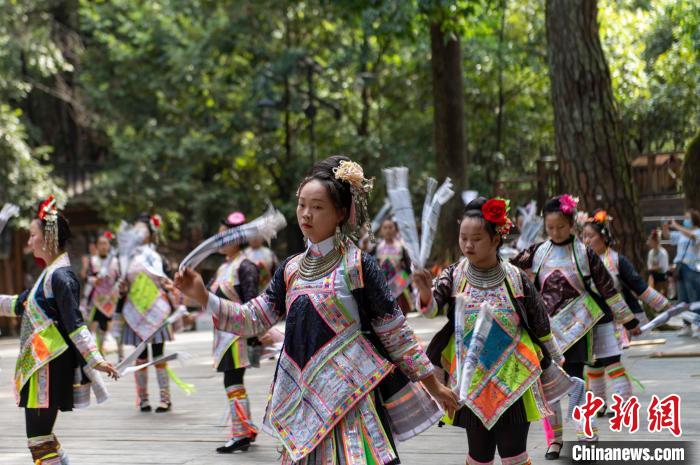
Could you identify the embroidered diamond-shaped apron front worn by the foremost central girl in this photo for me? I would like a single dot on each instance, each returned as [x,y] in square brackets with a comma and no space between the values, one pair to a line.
[311,396]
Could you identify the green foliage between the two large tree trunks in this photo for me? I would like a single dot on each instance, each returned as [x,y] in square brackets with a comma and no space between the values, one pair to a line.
[515,66]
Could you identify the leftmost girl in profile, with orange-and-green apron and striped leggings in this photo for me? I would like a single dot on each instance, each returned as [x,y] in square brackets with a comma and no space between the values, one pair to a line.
[58,358]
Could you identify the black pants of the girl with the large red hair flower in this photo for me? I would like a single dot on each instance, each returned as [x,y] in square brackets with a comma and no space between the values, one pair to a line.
[509,439]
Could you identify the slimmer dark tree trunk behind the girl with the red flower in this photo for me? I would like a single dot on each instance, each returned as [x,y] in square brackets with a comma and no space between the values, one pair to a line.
[448,120]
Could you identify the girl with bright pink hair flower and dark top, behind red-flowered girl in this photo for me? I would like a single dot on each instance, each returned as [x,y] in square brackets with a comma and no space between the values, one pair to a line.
[565,272]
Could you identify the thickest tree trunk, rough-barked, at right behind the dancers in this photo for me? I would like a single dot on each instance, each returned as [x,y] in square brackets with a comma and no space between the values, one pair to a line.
[590,143]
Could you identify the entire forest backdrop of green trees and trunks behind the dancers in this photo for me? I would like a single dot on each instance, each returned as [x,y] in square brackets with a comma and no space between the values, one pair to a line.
[192,108]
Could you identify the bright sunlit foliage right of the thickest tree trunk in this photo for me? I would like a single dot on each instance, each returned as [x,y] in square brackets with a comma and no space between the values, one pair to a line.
[653,49]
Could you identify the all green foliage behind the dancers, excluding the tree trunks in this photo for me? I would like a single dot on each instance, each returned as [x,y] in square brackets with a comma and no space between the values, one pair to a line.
[208,105]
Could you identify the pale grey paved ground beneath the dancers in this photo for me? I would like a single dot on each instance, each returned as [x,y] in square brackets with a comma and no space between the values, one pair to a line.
[116,433]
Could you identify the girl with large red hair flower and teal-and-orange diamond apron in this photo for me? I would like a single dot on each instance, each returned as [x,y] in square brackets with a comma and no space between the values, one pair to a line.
[505,393]
